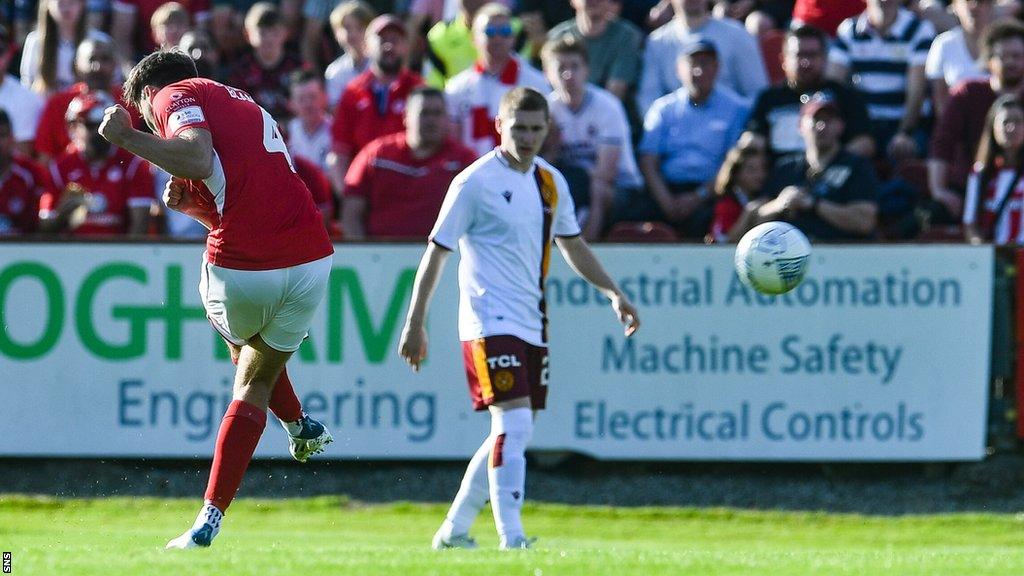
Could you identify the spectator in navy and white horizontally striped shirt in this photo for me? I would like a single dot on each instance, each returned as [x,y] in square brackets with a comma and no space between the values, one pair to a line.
[883,54]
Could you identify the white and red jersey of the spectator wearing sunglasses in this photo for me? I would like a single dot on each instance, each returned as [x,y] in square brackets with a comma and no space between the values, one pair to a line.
[474,97]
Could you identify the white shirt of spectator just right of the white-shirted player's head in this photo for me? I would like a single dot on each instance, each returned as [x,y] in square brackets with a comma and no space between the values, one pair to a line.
[601,122]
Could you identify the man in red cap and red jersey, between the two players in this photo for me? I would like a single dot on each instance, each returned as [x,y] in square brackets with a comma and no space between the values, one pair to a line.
[373,104]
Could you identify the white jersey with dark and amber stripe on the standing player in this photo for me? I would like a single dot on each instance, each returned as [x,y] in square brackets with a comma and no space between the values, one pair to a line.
[503,223]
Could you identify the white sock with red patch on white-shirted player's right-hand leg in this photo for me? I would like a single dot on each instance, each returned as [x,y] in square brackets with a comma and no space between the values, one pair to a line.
[507,471]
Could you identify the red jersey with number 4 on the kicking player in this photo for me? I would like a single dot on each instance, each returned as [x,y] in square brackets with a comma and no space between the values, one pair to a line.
[268,219]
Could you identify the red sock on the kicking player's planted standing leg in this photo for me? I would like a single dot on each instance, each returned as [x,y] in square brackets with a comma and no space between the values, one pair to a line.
[240,433]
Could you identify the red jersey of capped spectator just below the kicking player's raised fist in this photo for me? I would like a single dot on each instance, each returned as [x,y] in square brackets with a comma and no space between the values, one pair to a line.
[121,182]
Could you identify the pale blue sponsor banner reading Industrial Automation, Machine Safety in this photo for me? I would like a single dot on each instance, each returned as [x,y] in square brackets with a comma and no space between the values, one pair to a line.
[882,354]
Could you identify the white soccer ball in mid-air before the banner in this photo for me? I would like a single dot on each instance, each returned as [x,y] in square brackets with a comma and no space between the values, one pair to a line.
[773,258]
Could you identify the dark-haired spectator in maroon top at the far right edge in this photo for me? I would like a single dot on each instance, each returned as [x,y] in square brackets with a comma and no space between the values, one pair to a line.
[960,129]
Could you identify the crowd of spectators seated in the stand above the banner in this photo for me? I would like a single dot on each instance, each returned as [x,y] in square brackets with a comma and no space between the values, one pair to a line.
[673,120]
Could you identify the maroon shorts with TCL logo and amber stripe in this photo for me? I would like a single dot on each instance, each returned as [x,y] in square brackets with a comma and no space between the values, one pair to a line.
[503,368]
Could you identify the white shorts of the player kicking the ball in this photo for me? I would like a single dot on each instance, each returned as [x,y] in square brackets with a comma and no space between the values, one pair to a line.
[278,305]
